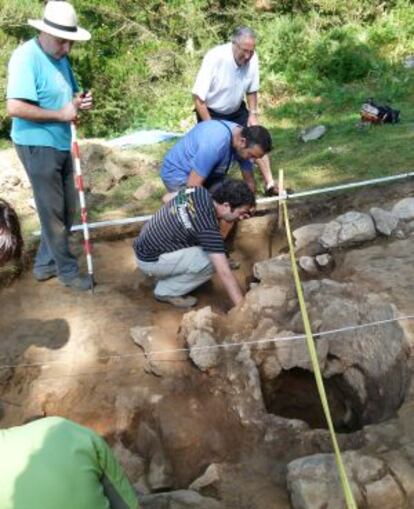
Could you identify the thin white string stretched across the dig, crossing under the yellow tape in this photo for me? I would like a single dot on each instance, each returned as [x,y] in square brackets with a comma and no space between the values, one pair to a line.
[281,339]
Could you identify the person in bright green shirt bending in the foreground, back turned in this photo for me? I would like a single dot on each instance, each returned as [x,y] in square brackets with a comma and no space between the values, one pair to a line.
[54,463]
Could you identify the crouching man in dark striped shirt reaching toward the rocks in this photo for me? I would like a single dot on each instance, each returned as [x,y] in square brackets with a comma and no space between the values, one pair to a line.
[181,245]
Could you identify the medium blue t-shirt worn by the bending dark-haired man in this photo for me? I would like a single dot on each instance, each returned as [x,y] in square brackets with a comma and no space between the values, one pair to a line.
[206,149]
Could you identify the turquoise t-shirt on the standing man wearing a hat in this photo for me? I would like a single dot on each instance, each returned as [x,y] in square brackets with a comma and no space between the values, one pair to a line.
[49,83]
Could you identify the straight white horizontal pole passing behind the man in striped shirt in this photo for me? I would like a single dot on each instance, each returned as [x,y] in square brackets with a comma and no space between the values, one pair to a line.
[260,201]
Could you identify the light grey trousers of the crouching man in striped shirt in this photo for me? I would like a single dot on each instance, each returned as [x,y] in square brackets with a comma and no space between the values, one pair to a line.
[179,272]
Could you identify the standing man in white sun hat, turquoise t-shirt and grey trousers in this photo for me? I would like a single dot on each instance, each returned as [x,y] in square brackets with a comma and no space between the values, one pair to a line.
[43,99]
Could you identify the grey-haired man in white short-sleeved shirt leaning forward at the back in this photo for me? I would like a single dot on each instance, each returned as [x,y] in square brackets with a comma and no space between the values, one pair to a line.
[228,74]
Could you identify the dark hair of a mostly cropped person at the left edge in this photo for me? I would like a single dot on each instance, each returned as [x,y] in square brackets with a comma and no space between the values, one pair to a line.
[11,241]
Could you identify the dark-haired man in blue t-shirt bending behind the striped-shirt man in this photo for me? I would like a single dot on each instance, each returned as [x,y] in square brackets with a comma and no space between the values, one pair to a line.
[204,155]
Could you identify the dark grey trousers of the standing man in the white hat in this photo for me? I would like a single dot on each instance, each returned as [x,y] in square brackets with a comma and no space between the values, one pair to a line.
[51,174]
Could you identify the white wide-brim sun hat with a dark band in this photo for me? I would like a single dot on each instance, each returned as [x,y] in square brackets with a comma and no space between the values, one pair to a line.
[60,20]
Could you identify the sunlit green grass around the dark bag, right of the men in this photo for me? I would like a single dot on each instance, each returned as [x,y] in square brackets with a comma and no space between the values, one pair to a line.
[347,152]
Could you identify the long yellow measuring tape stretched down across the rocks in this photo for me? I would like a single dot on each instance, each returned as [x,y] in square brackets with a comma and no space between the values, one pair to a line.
[349,498]
